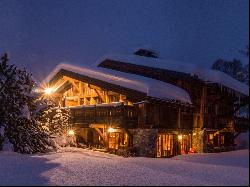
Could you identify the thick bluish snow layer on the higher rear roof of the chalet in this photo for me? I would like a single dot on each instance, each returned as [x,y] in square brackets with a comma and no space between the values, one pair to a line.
[204,74]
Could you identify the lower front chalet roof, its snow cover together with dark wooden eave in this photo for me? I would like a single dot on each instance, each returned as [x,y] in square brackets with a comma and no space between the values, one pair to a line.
[134,86]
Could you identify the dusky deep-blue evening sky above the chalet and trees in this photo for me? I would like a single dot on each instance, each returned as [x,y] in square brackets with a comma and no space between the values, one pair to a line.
[38,34]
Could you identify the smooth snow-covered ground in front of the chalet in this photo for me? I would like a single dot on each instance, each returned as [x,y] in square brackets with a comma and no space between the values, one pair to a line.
[73,166]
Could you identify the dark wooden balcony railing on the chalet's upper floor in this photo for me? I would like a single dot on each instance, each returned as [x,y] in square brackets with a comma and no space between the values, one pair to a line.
[104,113]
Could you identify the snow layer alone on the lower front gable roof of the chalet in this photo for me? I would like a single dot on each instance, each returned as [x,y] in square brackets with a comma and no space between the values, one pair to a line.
[151,87]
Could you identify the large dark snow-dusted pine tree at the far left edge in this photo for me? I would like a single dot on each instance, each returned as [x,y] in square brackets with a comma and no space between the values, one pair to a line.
[18,111]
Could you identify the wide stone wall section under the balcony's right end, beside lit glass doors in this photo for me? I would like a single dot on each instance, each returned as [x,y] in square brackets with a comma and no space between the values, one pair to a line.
[144,142]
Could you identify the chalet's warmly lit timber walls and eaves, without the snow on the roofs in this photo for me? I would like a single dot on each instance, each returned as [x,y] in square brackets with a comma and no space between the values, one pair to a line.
[120,118]
